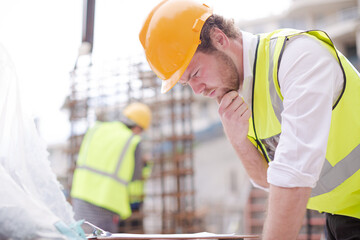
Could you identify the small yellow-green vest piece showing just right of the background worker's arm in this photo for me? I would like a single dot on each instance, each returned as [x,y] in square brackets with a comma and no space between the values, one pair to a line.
[136,187]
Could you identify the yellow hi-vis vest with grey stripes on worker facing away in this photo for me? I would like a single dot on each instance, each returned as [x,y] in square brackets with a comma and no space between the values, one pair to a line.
[105,166]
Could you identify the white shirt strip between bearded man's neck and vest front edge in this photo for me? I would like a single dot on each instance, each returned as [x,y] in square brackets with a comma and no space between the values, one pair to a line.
[249,49]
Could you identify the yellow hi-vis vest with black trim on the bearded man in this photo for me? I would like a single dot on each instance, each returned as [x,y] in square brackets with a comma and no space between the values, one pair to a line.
[338,188]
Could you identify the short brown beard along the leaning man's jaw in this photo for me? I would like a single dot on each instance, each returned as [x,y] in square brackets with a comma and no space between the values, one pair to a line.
[230,75]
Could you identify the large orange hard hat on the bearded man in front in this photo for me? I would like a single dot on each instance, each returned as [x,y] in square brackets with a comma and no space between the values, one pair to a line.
[170,37]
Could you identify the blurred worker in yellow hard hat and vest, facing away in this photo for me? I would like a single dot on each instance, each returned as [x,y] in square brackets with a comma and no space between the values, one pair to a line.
[109,159]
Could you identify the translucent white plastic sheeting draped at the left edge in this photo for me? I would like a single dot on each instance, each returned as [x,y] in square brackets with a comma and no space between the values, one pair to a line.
[31,200]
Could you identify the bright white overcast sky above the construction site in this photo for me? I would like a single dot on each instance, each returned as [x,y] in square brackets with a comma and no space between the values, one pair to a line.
[43,36]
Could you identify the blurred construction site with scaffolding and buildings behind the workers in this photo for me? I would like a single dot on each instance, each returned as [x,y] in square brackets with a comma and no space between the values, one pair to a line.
[197,182]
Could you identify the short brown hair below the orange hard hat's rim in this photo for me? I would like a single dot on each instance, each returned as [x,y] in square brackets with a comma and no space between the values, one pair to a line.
[225,25]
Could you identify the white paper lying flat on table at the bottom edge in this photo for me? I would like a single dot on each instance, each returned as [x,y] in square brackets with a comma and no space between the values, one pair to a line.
[168,236]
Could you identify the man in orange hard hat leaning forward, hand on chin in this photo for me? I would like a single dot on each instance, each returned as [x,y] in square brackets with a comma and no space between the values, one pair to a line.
[289,104]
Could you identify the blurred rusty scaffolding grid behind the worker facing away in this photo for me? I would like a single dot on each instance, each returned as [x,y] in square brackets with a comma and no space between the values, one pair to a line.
[99,92]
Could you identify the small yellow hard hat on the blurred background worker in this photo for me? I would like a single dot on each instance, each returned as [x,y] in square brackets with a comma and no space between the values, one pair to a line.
[138,113]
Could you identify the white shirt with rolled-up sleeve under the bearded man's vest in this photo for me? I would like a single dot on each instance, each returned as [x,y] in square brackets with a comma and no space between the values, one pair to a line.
[310,80]
